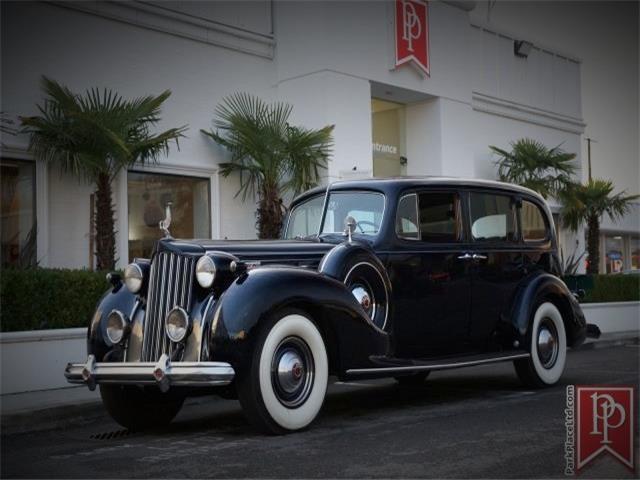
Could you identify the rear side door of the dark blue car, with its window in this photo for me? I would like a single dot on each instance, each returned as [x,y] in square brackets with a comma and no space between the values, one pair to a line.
[497,266]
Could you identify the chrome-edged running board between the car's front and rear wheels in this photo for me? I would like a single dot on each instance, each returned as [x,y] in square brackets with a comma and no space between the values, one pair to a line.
[396,365]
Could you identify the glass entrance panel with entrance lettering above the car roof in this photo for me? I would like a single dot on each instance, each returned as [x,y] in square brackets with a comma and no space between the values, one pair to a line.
[388,134]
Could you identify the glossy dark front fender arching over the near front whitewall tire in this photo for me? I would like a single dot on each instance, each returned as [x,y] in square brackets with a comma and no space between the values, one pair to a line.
[238,315]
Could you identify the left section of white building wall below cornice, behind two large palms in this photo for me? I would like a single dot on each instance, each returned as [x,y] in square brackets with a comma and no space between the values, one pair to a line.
[83,50]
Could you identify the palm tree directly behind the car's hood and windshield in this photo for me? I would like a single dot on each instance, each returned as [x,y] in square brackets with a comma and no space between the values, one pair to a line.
[271,156]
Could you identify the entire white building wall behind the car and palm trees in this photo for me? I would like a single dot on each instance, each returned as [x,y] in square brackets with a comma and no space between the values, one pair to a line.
[327,59]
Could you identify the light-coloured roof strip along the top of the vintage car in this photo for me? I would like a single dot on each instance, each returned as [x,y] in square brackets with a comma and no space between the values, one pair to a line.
[393,185]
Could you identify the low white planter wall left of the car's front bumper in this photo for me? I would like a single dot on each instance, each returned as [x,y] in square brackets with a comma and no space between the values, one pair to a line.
[35,360]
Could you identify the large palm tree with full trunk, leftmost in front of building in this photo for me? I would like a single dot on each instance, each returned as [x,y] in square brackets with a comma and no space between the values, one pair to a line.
[95,136]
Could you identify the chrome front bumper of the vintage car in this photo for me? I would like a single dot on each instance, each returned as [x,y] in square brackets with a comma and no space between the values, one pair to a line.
[163,373]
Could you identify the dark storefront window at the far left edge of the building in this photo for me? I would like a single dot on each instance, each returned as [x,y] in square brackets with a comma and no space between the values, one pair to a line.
[18,213]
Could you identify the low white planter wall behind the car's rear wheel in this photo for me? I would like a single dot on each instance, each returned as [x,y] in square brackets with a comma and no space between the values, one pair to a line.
[613,317]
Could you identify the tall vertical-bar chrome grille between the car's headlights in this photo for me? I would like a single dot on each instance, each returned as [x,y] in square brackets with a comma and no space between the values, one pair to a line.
[170,284]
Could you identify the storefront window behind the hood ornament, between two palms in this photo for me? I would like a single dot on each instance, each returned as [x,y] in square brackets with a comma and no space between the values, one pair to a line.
[148,195]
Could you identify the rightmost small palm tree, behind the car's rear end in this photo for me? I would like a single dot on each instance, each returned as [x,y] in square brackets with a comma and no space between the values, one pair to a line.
[586,204]
